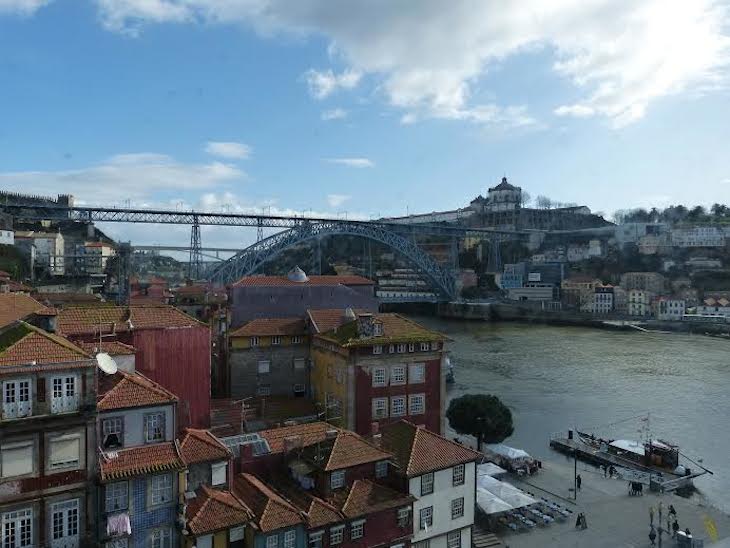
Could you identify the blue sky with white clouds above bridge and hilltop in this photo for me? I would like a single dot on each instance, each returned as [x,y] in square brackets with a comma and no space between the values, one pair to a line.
[363,108]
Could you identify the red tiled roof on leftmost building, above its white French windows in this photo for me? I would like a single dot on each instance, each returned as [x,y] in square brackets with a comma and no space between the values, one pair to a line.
[27,344]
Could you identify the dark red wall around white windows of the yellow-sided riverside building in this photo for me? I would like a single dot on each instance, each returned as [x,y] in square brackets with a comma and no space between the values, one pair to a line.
[365,392]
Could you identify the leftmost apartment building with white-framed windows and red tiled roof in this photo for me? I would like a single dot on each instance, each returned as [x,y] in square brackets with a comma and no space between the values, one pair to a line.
[48,441]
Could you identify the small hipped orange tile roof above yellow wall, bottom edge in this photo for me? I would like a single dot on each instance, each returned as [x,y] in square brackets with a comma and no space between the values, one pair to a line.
[212,510]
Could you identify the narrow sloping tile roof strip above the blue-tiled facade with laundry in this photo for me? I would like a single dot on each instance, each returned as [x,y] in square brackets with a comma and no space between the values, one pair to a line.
[138,461]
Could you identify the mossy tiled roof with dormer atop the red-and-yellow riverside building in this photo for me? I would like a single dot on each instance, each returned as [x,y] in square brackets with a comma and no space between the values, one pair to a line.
[396,328]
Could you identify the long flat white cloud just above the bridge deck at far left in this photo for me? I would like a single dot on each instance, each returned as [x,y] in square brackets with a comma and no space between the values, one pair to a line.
[136,177]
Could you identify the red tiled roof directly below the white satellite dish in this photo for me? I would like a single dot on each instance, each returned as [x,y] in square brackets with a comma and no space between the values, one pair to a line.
[123,390]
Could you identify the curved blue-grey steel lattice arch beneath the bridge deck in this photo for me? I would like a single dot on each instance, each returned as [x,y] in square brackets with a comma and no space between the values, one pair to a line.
[247,261]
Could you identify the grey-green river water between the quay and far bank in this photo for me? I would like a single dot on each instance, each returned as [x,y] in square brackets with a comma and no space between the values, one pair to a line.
[554,378]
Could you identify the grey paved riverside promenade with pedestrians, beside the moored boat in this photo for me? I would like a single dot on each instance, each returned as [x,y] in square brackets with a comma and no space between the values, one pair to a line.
[615,520]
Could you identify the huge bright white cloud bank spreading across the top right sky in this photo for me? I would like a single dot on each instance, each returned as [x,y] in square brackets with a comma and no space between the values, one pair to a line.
[621,54]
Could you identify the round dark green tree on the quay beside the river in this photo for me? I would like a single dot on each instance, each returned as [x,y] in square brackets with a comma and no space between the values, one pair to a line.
[480,415]
